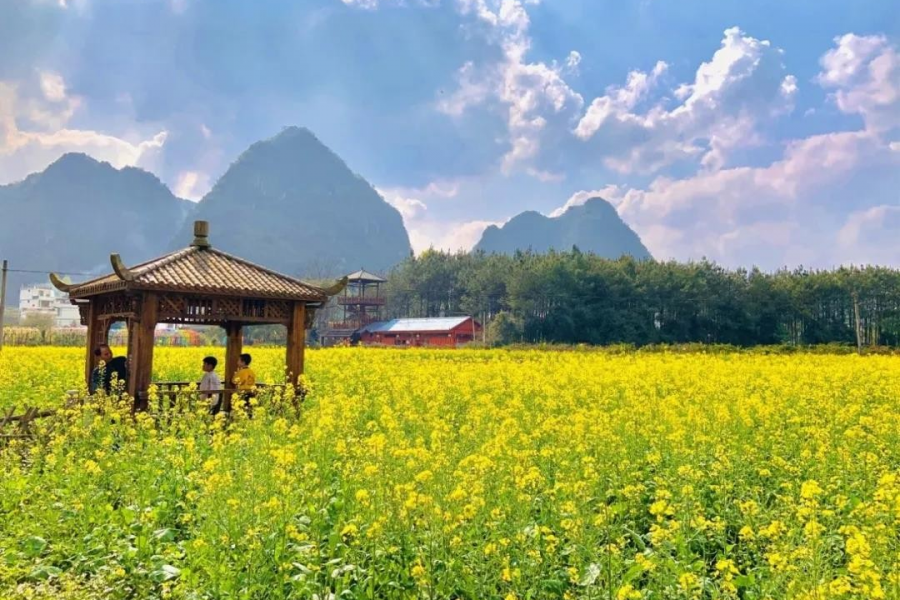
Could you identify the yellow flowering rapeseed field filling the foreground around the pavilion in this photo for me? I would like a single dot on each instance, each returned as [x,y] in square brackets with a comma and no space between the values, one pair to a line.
[474,474]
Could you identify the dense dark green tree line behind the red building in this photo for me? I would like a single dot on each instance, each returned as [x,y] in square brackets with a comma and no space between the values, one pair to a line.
[575,297]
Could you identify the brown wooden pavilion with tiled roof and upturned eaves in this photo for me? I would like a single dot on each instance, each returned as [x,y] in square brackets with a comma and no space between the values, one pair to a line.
[196,285]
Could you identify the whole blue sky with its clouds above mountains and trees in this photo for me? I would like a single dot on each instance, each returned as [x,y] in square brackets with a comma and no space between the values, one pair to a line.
[753,133]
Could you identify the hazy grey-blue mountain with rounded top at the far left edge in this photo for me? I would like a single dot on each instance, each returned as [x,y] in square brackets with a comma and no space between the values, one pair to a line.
[70,217]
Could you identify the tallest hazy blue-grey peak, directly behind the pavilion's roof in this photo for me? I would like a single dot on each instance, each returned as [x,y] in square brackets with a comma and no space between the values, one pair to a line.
[292,204]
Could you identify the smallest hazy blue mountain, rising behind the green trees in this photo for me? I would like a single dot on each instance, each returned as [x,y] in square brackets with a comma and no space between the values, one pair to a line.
[594,227]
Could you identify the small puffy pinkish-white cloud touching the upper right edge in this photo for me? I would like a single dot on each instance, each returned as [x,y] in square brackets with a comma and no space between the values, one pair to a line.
[864,71]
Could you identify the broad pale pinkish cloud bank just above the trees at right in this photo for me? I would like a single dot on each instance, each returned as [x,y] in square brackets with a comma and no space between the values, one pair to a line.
[771,216]
